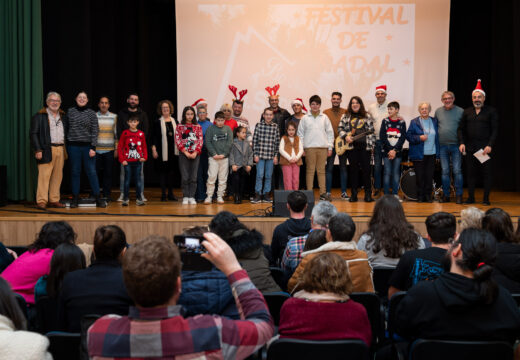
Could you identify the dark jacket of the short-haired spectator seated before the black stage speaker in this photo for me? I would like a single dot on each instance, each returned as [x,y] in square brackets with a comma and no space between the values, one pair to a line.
[284,232]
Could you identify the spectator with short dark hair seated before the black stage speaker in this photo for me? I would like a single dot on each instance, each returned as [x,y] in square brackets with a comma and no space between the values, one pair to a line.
[296,225]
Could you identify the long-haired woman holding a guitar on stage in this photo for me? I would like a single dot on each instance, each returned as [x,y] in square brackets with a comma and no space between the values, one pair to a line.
[357,127]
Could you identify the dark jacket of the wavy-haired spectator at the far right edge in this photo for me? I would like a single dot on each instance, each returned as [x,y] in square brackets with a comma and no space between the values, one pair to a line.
[507,267]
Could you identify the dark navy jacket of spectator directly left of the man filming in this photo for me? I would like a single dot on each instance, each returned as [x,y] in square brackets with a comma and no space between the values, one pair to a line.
[98,289]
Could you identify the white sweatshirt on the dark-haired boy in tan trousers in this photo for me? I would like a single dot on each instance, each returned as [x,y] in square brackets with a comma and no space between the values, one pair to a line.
[316,132]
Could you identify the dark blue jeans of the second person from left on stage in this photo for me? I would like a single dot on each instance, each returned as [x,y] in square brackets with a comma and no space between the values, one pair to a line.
[79,155]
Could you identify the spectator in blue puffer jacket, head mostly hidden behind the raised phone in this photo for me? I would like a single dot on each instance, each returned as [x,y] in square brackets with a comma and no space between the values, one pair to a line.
[206,292]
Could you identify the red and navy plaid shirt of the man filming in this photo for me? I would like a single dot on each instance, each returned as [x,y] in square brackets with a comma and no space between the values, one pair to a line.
[163,332]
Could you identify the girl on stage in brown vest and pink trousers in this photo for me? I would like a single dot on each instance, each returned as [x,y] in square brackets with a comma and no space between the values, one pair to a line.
[291,151]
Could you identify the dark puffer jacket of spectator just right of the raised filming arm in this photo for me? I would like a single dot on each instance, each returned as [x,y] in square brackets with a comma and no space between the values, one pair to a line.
[250,254]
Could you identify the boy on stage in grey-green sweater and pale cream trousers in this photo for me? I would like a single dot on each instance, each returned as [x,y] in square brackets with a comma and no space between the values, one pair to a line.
[219,139]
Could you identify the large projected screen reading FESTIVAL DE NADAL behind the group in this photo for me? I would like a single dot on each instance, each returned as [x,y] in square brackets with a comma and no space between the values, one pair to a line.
[311,48]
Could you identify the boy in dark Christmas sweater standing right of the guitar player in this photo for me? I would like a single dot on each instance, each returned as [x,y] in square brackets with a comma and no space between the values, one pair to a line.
[392,135]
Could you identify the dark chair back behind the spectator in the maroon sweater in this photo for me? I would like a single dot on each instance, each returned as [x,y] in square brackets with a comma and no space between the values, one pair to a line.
[314,349]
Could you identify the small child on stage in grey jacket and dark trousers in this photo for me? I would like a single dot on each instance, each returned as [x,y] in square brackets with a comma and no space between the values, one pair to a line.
[241,161]
